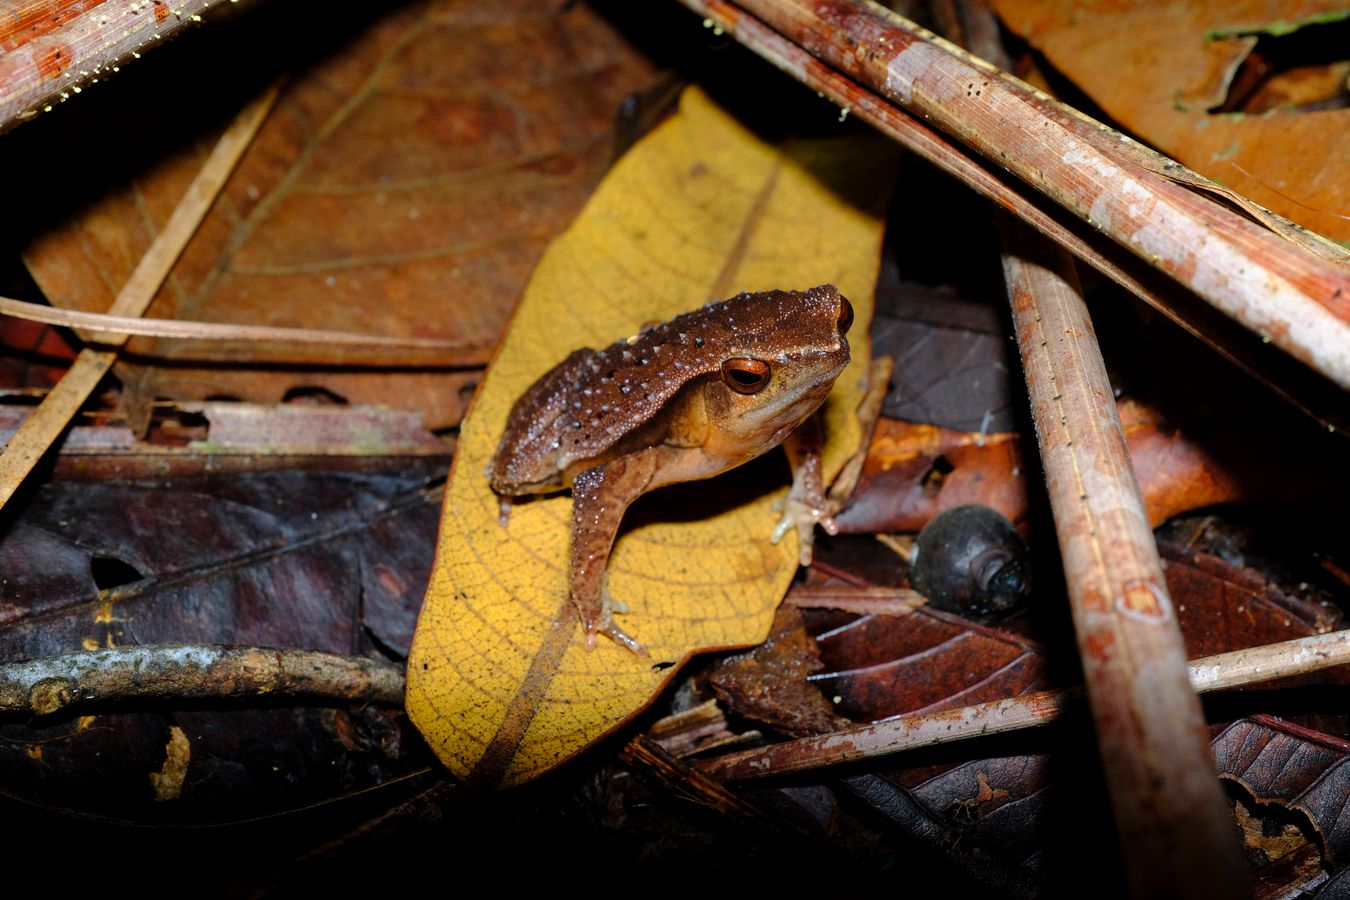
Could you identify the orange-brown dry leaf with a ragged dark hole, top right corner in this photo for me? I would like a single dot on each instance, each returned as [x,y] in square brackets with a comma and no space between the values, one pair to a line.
[1159,69]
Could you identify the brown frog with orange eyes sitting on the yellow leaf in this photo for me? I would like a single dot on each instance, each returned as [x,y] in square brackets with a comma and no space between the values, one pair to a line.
[680,401]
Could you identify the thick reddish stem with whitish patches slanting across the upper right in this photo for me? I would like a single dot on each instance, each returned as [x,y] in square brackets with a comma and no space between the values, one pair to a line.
[1297,300]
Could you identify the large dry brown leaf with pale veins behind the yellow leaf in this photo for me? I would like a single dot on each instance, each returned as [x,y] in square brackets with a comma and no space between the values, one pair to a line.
[406,187]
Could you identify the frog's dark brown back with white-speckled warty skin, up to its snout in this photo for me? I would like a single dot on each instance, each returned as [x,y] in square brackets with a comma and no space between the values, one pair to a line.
[583,410]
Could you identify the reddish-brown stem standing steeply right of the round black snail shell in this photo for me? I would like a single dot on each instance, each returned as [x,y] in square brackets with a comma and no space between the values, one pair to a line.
[1177,833]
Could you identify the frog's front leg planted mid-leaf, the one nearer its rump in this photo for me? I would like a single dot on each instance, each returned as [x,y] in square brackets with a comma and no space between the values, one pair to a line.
[600,499]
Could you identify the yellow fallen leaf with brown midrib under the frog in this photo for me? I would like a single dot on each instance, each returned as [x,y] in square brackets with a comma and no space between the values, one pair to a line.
[499,679]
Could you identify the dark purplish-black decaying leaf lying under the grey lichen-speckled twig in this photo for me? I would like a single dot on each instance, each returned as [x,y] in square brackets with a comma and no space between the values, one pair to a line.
[333,562]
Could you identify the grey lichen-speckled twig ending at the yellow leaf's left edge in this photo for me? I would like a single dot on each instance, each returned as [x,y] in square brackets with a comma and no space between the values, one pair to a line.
[194,671]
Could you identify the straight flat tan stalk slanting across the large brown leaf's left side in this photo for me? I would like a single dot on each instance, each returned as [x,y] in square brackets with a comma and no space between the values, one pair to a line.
[37,435]
